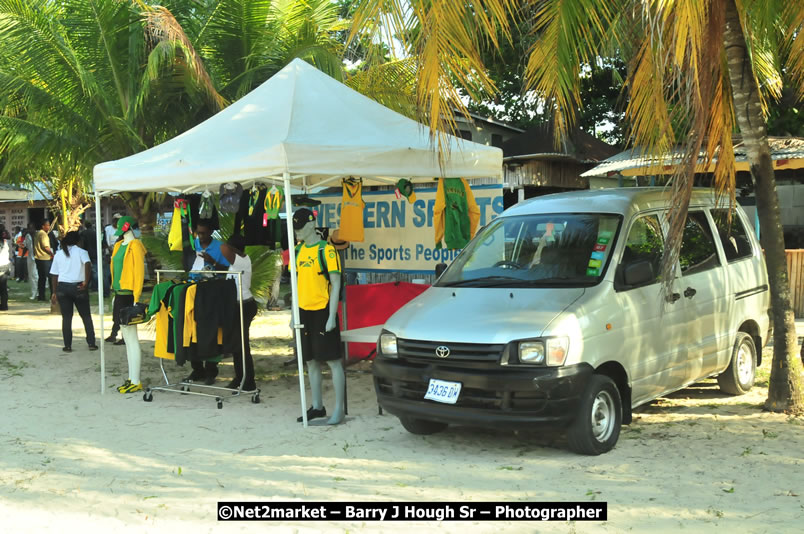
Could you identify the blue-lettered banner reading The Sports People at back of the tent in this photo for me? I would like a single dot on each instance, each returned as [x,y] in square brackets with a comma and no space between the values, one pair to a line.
[399,236]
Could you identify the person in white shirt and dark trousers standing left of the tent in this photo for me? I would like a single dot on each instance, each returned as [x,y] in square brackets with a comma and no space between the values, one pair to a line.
[71,273]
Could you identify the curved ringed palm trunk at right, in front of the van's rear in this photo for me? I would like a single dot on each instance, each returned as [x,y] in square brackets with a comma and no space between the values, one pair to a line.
[785,388]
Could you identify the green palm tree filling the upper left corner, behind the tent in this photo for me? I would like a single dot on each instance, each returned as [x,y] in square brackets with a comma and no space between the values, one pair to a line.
[75,91]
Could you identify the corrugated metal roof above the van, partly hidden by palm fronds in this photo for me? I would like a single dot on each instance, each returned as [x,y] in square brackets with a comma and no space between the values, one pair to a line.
[783,150]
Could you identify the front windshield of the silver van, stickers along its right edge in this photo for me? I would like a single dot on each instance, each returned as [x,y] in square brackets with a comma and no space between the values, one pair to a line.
[563,249]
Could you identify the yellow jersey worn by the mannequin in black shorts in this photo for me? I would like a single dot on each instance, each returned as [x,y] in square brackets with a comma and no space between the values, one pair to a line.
[314,287]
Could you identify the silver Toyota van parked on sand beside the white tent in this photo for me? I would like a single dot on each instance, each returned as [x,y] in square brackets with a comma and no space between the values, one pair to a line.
[554,314]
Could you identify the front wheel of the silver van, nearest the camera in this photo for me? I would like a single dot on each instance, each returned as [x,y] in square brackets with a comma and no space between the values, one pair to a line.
[597,424]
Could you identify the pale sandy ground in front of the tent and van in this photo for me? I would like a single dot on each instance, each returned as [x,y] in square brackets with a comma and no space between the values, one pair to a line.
[75,460]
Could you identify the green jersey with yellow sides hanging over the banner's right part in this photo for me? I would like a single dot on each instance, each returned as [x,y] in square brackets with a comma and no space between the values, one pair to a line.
[455,214]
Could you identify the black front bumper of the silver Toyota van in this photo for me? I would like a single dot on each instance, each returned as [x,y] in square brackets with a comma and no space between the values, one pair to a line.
[492,396]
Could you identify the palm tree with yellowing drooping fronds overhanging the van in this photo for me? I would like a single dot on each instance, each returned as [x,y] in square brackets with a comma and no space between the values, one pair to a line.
[693,67]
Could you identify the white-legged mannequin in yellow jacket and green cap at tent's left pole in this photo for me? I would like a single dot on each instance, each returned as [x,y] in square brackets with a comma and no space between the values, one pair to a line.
[128,272]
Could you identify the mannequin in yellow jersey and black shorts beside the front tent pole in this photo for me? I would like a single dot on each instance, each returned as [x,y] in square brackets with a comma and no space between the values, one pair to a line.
[319,344]
